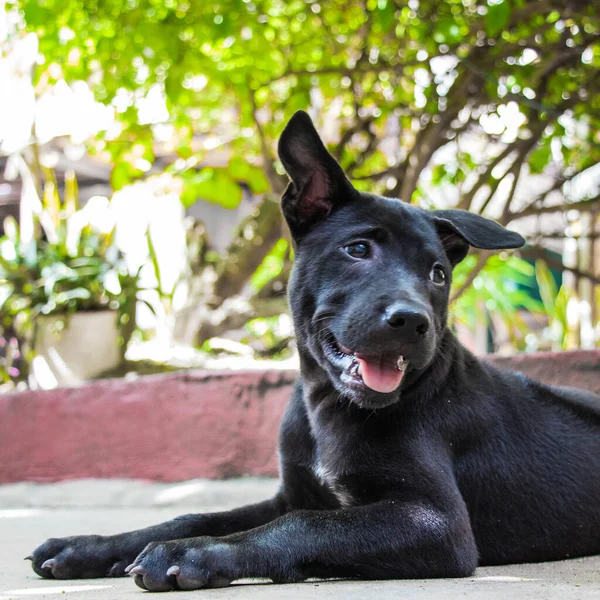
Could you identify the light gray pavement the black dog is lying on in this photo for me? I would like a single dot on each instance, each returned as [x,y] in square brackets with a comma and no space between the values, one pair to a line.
[30,513]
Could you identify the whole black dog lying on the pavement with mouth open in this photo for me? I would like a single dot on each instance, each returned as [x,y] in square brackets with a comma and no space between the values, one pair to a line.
[402,455]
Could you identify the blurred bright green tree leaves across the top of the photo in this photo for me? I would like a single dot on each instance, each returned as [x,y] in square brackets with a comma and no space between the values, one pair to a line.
[235,70]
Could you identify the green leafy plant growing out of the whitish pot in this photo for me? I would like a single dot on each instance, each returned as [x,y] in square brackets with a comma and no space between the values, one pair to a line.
[70,264]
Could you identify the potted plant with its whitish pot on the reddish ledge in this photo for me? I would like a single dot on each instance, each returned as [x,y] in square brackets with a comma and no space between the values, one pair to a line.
[65,292]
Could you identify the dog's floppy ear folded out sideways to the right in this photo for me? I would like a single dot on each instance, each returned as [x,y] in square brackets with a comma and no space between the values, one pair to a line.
[459,229]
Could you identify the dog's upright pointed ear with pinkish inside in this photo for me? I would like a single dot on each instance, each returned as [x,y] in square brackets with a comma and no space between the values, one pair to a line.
[318,184]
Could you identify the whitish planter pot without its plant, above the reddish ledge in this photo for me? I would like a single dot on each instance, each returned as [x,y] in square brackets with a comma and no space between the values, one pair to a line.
[85,348]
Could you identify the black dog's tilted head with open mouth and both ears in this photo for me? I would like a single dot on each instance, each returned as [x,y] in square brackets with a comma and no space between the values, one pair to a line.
[369,291]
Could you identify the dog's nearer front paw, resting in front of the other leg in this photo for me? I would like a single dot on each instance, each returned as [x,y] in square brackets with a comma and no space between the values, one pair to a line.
[184,565]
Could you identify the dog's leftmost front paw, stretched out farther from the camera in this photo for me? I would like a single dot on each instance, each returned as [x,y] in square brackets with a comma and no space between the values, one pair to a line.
[78,557]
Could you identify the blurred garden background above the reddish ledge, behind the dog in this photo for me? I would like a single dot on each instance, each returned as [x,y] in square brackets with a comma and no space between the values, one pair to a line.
[139,182]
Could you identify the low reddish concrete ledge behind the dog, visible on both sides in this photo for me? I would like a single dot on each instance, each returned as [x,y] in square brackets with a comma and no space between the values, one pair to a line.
[183,425]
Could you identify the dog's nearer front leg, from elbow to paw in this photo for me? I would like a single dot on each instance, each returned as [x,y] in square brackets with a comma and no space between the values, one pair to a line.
[385,540]
